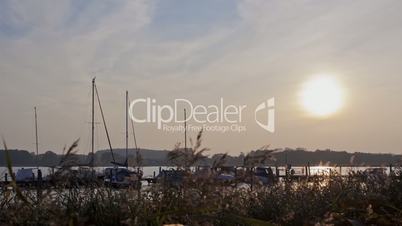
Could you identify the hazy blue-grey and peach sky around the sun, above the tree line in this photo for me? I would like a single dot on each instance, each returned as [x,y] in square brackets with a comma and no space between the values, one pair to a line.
[244,51]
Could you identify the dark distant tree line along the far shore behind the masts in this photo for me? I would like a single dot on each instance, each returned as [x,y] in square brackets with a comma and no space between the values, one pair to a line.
[159,157]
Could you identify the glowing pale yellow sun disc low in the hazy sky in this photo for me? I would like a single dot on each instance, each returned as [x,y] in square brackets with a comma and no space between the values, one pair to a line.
[322,96]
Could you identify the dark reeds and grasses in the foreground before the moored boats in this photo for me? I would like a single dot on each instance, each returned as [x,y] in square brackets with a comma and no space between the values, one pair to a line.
[358,199]
